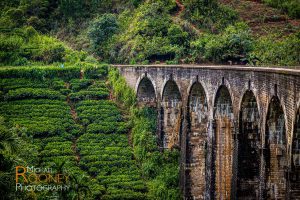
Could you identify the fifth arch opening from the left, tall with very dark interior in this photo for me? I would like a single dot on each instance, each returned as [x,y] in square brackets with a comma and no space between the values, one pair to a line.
[248,176]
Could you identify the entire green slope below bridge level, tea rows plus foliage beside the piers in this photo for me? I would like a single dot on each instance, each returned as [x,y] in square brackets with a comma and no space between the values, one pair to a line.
[63,119]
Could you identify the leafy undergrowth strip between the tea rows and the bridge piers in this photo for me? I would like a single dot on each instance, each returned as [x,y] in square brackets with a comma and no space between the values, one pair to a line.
[160,169]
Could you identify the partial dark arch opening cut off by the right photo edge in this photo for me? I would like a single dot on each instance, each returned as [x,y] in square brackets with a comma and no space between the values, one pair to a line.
[295,171]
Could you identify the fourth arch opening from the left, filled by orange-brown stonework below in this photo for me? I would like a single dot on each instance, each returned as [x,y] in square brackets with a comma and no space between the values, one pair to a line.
[224,144]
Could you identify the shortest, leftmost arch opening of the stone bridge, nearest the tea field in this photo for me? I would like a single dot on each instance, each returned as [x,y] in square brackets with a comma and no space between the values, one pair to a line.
[146,92]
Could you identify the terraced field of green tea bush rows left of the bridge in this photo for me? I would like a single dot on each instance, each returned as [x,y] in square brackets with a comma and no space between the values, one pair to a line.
[70,125]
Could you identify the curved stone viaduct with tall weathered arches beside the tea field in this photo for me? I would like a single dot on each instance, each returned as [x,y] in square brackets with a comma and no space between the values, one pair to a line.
[237,128]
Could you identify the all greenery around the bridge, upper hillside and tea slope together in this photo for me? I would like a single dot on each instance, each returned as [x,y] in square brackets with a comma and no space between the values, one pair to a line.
[62,107]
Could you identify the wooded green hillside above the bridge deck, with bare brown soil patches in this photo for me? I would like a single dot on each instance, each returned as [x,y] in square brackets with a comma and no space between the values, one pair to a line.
[137,31]
